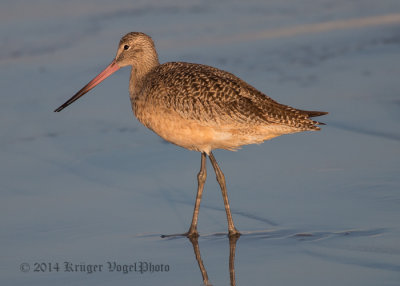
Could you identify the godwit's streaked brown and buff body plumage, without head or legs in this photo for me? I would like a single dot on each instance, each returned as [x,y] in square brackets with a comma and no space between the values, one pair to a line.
[224,111]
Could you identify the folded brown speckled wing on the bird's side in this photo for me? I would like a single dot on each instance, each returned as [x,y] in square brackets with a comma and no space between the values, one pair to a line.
[215,97]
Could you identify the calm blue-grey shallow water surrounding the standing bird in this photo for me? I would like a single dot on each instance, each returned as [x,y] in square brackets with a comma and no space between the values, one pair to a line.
[91,185]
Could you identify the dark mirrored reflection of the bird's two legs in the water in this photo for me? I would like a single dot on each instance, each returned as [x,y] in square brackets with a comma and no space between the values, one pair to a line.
[232,250]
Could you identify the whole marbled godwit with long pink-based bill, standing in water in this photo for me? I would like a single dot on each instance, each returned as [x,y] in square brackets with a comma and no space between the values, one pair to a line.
[199,108]
